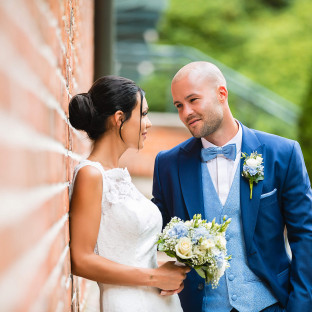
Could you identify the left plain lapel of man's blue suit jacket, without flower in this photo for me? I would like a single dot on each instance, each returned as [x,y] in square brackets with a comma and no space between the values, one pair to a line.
[190,177]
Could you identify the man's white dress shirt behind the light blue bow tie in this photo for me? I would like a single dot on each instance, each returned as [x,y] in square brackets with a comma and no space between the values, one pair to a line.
[222,169]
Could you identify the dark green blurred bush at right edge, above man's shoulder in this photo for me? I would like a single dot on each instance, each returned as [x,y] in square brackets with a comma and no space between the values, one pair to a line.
[305,130]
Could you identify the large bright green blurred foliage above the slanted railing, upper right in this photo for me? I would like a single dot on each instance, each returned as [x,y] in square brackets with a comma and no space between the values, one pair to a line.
[269,45]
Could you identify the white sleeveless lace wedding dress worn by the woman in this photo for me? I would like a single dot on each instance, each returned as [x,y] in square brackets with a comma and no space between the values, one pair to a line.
[127,235]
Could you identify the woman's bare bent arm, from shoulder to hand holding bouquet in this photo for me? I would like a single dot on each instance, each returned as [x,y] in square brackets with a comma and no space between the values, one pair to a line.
[85,216]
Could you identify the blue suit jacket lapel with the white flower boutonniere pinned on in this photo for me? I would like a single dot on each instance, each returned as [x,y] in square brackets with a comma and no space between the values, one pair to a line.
[250,207]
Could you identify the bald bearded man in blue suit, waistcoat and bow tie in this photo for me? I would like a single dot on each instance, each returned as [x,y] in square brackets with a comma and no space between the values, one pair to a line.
[199,176]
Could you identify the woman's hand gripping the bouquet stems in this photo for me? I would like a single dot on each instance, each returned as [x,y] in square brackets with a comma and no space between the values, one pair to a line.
[170,276]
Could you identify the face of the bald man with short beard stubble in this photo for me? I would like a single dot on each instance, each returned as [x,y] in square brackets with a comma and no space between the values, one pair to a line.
[198,106]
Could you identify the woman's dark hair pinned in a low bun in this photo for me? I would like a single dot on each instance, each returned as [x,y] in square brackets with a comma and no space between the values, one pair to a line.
[89,111]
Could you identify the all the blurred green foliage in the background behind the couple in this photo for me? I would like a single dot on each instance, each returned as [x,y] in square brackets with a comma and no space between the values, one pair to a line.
[268,41]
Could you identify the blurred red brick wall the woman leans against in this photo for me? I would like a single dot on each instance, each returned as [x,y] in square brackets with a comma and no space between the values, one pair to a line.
[46,55]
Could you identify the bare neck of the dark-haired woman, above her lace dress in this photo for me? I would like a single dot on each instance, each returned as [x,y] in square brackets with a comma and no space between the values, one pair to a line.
[107,150]
